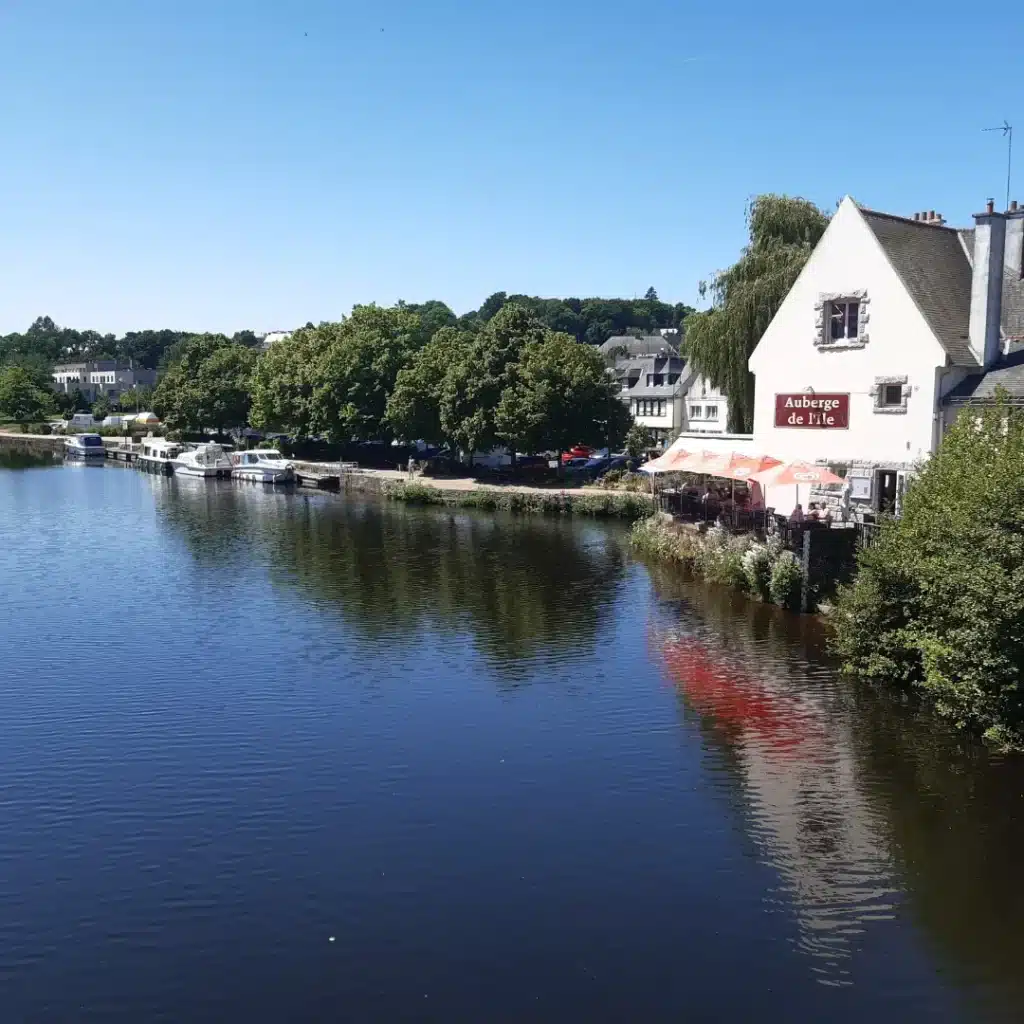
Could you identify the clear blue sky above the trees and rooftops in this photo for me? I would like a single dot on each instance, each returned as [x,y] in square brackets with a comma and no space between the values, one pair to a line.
[215,165]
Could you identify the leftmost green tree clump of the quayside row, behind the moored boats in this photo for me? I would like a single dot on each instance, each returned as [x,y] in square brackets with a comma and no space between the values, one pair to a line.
[208,386]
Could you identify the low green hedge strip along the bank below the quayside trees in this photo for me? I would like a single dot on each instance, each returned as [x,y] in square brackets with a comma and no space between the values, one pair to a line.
[617,506]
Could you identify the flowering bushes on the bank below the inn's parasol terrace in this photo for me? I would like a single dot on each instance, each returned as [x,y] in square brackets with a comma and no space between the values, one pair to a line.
[765,572]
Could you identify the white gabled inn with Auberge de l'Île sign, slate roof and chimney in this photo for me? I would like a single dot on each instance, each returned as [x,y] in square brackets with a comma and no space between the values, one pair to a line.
[893,323]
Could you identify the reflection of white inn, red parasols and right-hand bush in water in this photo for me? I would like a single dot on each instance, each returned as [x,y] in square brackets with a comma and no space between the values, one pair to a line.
[867,810]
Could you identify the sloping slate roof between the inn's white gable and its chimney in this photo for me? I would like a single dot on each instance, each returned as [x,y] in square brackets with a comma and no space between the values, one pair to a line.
[931,263]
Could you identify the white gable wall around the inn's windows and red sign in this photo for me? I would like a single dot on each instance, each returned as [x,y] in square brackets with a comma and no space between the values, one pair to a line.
[848,260]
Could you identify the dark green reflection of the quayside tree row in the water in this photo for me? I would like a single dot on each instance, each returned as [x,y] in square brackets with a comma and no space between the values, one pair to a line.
[520,586]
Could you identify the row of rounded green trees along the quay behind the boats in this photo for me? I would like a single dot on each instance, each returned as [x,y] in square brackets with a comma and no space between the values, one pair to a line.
[386,373]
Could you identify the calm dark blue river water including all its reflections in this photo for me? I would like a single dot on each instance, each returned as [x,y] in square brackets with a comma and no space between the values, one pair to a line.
[514,775]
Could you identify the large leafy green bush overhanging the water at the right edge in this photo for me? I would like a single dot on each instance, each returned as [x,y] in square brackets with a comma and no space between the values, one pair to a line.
[940,599]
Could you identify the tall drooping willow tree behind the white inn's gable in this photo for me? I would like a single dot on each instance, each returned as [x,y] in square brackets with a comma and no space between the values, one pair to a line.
[784,232]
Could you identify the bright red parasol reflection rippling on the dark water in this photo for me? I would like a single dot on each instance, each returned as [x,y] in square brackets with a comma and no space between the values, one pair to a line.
[744,706]
